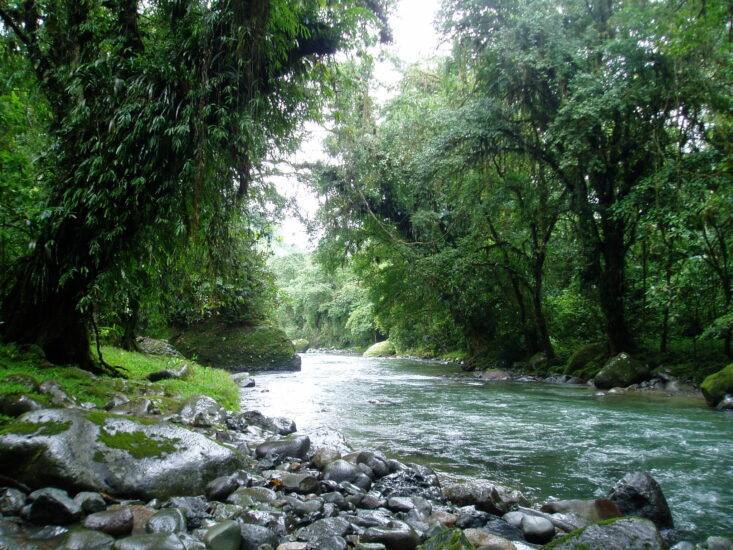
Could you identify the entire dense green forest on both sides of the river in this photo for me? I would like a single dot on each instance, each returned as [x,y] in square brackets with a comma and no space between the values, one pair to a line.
[561,177]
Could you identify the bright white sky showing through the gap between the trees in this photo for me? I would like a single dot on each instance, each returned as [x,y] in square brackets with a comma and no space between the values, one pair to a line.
[414,39]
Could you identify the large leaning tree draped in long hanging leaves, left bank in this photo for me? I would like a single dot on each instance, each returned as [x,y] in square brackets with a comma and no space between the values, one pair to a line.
[160,111]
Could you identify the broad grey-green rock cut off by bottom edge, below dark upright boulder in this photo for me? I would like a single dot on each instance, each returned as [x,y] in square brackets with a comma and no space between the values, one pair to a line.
[615,534]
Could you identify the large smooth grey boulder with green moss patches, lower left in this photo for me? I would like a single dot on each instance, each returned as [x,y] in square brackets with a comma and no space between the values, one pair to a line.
[83,450]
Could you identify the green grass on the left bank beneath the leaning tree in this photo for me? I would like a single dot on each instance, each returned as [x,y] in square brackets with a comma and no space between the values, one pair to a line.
[166,394]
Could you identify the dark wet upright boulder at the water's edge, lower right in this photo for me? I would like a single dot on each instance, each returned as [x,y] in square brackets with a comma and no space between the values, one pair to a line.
[638,494]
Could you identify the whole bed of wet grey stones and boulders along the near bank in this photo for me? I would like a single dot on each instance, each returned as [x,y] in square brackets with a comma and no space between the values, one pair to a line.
[207,478]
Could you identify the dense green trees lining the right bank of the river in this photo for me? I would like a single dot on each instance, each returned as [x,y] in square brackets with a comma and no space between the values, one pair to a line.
[568,155]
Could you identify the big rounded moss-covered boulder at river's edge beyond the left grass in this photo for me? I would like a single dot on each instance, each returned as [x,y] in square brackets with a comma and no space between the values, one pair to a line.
[238,347]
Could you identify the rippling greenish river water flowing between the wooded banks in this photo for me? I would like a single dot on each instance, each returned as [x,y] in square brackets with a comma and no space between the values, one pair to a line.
[546,440]
